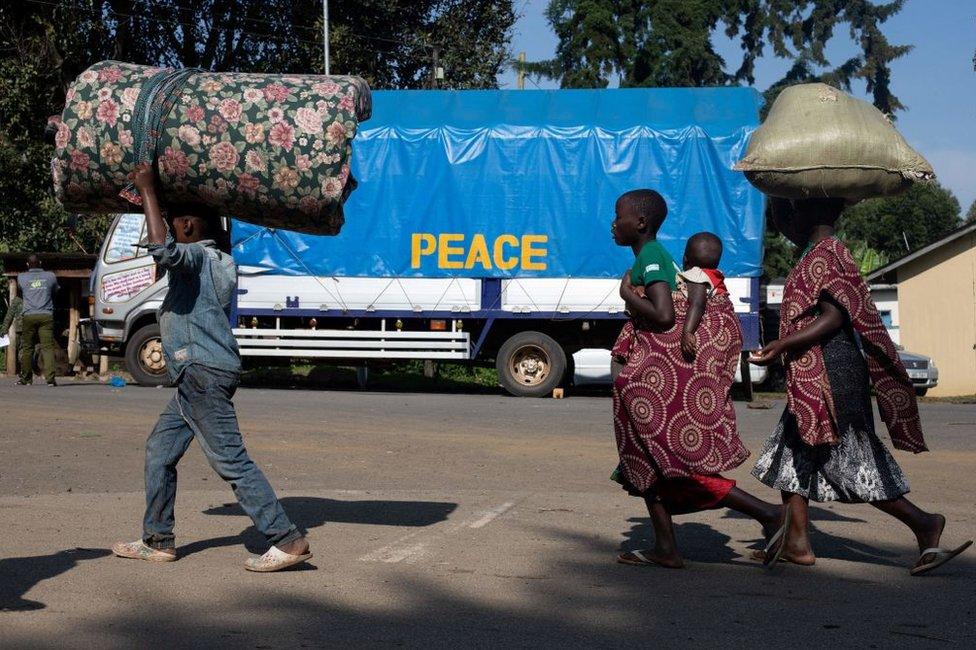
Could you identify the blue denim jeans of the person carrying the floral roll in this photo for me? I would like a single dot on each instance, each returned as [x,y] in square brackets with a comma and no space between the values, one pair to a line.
[202,408]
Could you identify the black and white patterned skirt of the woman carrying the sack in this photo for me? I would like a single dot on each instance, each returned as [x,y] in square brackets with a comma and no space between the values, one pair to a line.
[857,470]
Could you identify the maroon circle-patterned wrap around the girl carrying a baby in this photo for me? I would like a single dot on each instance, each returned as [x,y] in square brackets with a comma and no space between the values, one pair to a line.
[674,417]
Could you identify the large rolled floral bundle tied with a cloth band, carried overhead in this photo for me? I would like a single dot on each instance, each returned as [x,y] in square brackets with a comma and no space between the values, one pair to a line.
[271,149]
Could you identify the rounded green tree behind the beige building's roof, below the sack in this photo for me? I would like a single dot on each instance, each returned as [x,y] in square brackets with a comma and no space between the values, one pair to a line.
[896,225]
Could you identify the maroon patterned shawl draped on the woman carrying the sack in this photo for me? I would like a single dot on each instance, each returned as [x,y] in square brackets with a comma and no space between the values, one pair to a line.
[829,268]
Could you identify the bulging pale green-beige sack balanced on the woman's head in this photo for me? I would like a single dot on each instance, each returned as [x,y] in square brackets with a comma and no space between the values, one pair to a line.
[820,142]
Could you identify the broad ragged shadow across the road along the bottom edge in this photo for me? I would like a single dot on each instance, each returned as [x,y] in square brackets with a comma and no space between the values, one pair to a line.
[573,595]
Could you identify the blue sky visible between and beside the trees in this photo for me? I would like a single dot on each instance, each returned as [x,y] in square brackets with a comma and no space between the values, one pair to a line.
[936,80]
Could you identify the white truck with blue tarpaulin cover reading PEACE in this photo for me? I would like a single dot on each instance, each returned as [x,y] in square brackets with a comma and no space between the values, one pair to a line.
[479,233]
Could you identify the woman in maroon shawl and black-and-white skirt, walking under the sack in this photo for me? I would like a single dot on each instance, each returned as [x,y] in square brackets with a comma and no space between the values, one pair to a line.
[825,447]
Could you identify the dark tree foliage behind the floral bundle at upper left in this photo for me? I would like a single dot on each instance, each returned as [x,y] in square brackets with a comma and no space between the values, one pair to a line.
[45,44]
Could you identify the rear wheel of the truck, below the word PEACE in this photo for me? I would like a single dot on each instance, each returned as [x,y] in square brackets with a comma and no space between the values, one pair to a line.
[530,364]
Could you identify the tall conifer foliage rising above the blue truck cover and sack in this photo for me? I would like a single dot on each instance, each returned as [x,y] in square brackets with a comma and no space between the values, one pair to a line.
[671,42]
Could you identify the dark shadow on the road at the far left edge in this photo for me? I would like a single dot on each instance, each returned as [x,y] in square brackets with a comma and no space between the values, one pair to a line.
[18,575]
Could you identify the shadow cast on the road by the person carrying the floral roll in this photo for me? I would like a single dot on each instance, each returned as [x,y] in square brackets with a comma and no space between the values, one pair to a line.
[313,512]
